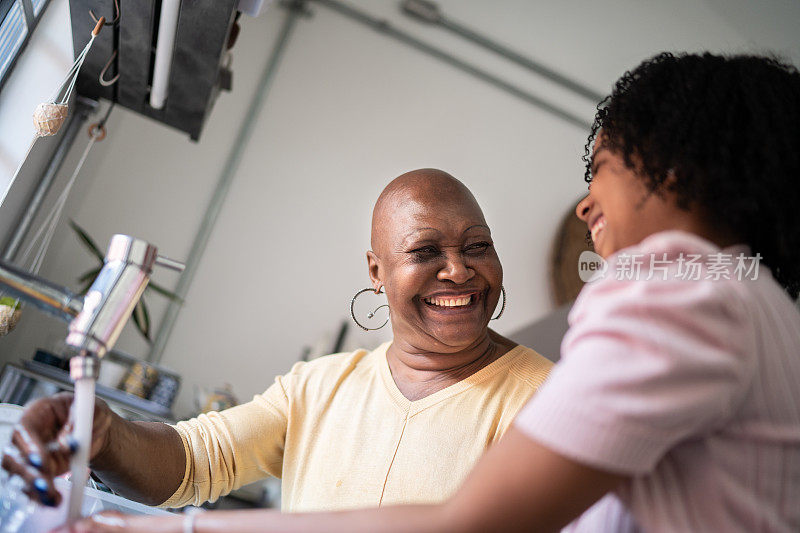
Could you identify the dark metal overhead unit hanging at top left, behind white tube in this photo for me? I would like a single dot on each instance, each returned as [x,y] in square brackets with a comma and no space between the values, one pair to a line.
[201,42]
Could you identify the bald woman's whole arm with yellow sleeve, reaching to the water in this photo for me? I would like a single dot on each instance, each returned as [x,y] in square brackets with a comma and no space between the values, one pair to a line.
[148,462]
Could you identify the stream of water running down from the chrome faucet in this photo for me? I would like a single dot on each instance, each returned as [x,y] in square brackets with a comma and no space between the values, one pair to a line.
[82,415]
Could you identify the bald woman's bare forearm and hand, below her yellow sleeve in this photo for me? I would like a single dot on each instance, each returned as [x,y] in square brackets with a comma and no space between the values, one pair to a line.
[144,461]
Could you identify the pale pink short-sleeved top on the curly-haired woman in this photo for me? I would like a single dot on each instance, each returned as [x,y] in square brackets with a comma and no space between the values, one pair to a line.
[691,387]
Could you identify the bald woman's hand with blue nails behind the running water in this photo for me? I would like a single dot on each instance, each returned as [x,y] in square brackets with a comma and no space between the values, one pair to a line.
[41,445]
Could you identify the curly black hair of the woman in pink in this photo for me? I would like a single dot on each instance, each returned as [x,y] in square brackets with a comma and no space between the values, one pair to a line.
[728,129]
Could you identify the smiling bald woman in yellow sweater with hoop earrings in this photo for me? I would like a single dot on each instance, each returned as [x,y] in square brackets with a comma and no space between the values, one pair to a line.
[402,423]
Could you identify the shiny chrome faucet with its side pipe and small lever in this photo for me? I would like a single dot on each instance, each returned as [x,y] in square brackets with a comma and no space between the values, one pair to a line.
[96,320]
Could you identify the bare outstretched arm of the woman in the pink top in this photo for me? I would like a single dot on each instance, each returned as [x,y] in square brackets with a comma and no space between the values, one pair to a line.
[518,485]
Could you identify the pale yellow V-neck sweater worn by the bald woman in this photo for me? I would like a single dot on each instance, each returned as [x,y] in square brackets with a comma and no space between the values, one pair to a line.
[341,435]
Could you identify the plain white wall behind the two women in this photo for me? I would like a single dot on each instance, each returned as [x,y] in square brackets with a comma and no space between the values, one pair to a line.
[349,110]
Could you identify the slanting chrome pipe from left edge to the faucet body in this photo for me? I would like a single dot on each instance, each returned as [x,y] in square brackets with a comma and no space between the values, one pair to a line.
[48,297]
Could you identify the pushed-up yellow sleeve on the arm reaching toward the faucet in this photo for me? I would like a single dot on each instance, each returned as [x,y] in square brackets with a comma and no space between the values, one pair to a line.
[227,449]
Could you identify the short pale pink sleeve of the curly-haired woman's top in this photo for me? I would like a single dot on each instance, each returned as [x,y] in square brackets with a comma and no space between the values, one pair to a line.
[644,366]
